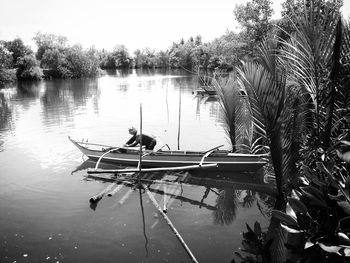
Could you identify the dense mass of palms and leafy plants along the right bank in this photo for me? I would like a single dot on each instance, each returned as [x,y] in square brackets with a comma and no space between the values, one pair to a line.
[297,86]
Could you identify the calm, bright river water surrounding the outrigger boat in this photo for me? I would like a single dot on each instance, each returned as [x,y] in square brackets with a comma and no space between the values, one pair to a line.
[45,215]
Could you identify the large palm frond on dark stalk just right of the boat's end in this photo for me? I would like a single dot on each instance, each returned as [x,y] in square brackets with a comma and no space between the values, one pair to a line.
[264,84]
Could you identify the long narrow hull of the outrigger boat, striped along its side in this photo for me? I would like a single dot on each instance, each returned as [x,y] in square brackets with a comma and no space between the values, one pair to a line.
[225,161]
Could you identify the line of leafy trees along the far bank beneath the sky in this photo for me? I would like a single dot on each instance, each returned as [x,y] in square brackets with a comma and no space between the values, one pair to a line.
[56,58]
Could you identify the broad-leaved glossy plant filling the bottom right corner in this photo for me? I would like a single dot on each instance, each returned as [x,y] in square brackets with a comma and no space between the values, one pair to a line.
[318,213]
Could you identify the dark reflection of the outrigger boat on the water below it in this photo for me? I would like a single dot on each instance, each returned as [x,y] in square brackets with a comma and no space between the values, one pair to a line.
[228,188]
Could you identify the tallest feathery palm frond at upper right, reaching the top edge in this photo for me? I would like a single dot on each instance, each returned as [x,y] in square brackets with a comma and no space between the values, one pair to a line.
[310,57]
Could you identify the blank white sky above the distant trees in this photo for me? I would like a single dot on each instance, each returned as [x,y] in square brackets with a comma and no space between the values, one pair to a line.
[134,23]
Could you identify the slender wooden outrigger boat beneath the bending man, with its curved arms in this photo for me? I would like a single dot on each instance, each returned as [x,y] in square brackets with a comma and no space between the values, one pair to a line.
[213,159]
